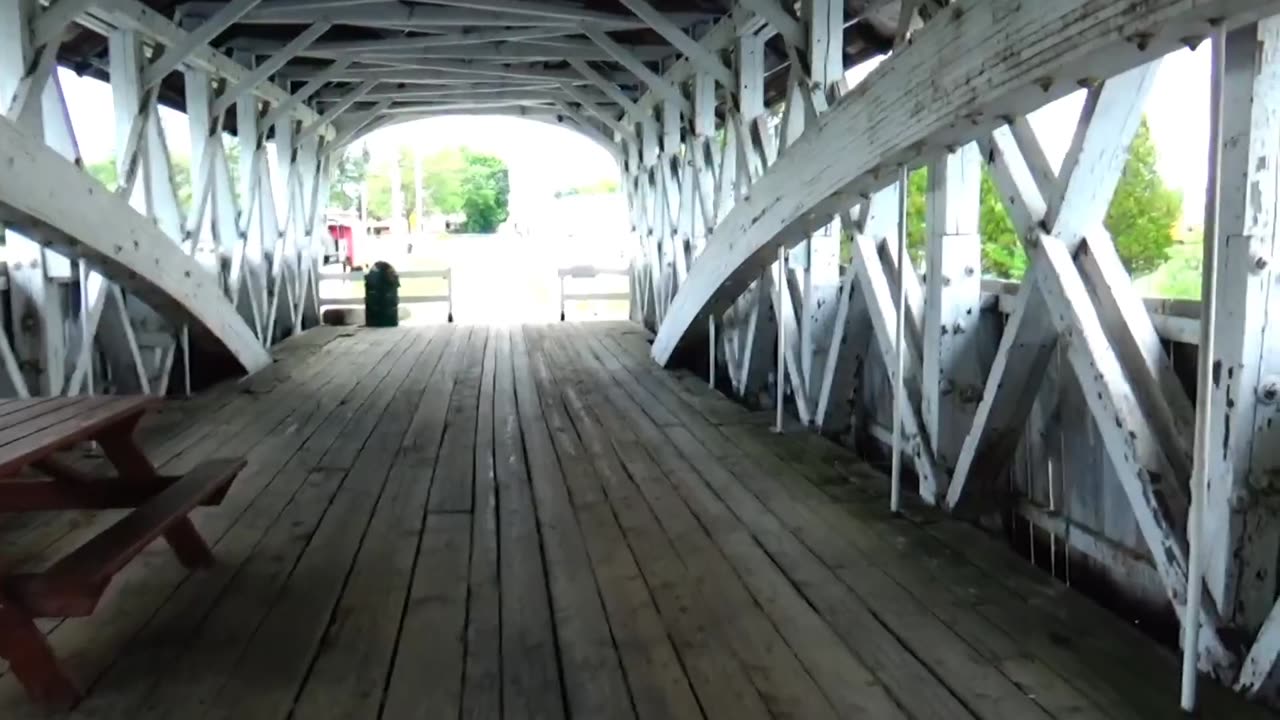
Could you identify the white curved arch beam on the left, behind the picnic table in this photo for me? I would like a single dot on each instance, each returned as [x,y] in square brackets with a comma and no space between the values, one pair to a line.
[61,206]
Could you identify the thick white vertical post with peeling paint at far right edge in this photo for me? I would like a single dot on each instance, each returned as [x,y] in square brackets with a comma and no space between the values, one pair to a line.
[1242,532]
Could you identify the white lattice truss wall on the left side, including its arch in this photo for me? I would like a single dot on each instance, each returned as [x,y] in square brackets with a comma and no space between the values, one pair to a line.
[107,290]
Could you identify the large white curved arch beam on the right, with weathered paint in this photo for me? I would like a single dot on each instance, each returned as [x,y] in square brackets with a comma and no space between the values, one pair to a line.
[968,71]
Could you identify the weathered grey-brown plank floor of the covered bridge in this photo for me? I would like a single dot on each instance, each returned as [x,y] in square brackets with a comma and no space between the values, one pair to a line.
[468,522]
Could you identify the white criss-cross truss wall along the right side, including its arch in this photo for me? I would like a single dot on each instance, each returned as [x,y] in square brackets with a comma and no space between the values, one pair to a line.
[952,98]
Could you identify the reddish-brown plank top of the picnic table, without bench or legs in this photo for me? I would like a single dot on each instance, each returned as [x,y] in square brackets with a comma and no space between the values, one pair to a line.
[35,429]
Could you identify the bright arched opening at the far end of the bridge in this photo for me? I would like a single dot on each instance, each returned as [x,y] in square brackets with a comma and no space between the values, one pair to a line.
[529,220]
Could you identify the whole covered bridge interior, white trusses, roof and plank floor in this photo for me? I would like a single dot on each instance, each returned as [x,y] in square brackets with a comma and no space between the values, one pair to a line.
[813,477]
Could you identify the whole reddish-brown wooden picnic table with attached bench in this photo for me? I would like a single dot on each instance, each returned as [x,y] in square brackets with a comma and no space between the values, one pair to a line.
[31,432]
